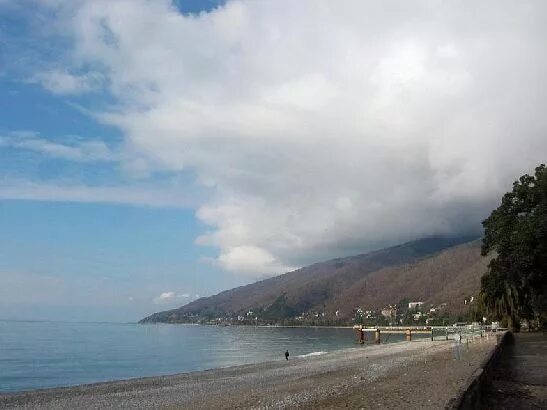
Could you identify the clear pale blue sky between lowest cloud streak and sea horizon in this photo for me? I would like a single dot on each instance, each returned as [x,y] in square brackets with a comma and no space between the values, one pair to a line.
[103,256]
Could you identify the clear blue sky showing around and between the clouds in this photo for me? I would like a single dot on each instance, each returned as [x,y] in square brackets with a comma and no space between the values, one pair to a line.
[126,255]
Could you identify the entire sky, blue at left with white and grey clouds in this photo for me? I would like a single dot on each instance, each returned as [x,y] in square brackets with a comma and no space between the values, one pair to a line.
[152,152]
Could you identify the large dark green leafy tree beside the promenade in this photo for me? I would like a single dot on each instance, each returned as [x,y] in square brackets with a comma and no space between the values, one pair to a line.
[514,287]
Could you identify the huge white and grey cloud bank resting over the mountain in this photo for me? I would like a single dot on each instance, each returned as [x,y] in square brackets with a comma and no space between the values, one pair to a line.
[323,128]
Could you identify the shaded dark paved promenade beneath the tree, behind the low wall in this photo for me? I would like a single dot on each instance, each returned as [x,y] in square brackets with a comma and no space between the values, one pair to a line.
[520,381]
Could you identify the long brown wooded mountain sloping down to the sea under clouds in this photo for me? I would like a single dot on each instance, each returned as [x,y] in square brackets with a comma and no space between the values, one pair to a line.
[433,270]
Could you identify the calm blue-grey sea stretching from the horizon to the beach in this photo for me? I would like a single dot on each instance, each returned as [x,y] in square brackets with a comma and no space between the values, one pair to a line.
[37,355]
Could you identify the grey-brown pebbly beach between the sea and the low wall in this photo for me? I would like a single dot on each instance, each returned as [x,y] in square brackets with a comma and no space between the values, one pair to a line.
[420,374]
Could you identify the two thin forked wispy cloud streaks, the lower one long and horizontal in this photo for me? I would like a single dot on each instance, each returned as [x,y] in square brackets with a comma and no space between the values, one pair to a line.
[138,189]
